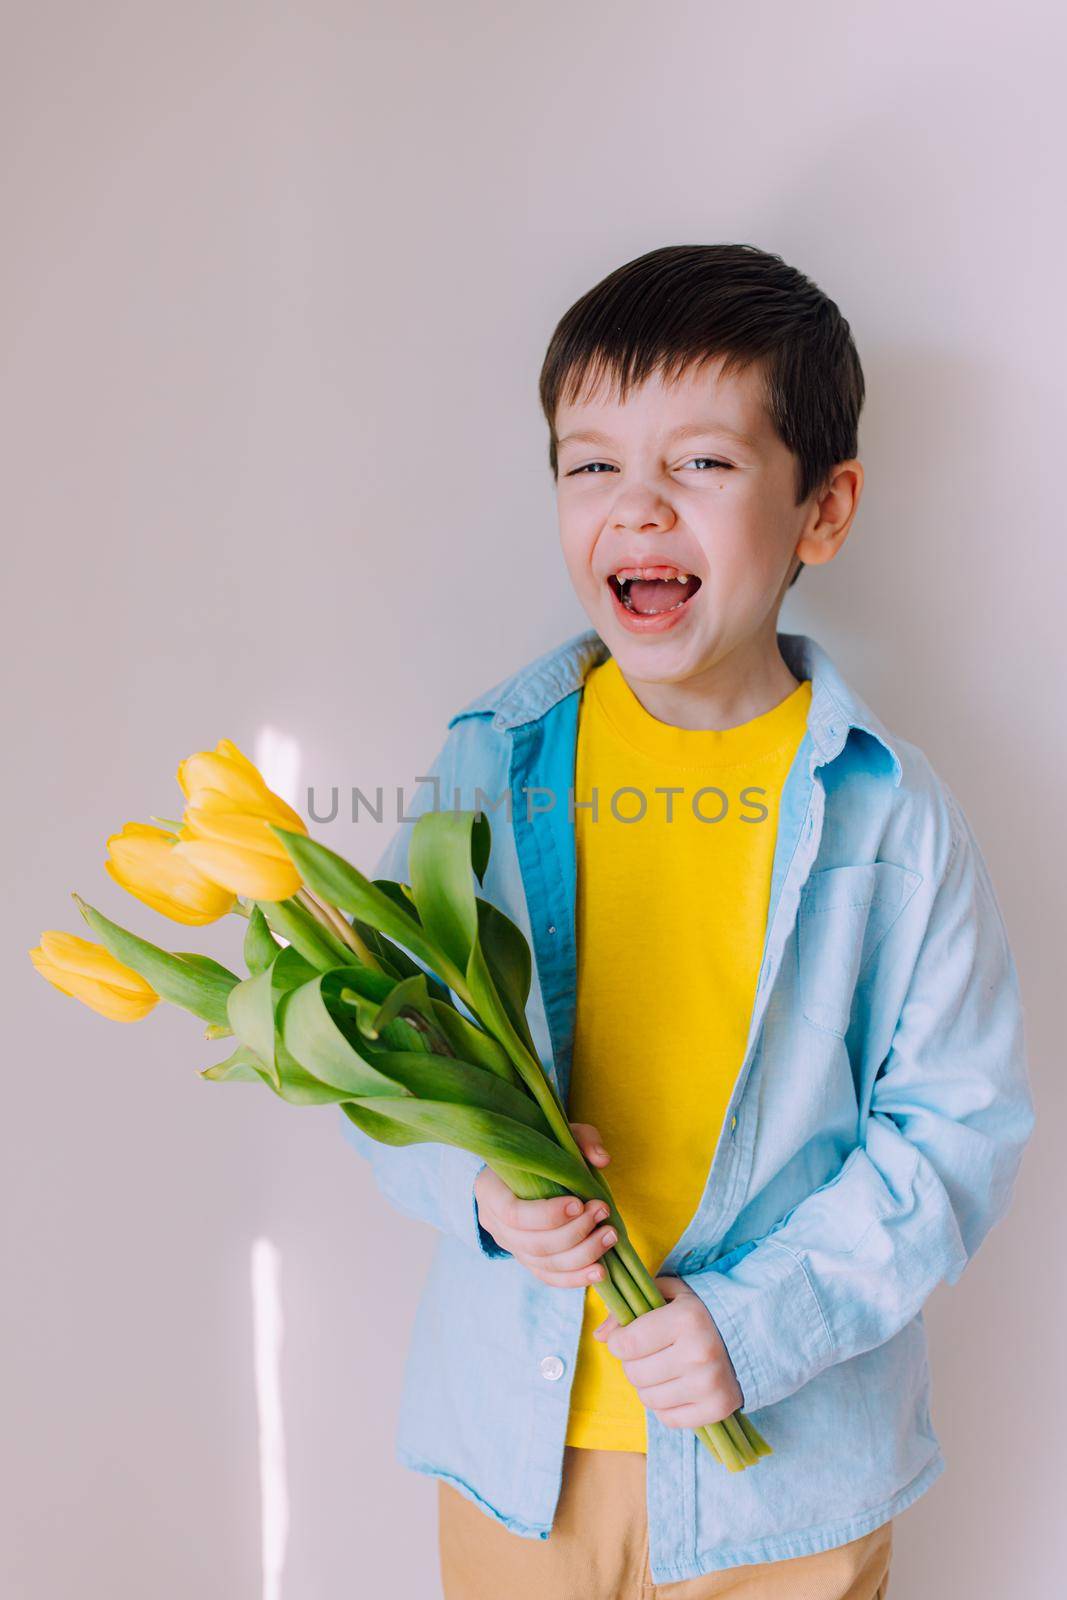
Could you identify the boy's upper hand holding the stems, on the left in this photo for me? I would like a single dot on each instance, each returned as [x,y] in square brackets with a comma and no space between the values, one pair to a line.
[559,1239]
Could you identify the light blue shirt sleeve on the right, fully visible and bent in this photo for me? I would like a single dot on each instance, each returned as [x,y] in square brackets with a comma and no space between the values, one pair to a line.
[951,1113]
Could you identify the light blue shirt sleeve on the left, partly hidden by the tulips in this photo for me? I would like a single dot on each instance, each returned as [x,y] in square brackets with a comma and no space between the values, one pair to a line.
[433,1183]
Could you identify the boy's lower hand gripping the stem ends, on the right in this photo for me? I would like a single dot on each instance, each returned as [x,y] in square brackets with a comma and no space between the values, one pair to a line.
[676,1359]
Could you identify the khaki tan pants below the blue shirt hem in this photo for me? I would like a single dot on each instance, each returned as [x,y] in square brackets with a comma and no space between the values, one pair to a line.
[599,1550]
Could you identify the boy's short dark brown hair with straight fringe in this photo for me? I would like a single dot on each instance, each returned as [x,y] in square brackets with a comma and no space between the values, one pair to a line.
[685,305]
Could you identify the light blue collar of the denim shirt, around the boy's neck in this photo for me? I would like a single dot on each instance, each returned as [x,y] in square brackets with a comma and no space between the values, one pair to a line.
[834,714]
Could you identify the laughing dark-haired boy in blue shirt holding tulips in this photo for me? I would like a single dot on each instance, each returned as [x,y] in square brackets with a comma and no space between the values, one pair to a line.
[772,978]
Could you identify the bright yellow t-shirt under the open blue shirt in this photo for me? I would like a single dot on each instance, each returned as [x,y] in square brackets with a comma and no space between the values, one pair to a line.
[671,919]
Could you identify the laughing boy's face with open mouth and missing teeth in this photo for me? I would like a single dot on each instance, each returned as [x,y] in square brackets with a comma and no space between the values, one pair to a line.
[682,479]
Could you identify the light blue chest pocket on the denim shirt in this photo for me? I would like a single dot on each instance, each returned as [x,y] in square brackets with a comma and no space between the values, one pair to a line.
[844,916]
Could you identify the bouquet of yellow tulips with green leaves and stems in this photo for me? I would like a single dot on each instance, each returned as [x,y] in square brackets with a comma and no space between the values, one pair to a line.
[354,993]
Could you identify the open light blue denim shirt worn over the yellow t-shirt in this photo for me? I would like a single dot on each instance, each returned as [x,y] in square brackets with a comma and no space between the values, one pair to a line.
[871,1143]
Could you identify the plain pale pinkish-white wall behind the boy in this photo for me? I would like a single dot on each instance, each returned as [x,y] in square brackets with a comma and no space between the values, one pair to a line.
[276,289]
